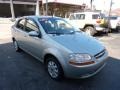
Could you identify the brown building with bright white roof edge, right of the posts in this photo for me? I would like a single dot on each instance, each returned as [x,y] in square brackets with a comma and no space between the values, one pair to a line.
[64,7]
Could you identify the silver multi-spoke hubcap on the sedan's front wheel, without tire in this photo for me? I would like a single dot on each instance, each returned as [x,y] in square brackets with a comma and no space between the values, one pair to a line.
[53,69]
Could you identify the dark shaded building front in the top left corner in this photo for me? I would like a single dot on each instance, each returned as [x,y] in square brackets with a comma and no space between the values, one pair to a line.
[20,9]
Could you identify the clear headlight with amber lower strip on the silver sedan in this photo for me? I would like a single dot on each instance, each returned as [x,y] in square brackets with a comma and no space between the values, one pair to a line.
[80,59]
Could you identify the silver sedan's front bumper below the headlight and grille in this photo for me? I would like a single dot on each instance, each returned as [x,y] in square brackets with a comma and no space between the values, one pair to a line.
[85,71]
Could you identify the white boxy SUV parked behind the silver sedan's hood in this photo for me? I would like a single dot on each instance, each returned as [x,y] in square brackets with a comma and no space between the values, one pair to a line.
[90,22]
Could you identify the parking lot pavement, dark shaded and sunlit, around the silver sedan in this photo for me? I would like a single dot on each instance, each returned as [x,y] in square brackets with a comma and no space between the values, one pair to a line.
[20,71]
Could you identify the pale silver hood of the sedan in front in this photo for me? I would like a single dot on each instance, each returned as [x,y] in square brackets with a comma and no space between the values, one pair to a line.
[79,43]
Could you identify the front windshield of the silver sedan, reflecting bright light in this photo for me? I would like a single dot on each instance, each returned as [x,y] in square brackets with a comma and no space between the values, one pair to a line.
[56,26]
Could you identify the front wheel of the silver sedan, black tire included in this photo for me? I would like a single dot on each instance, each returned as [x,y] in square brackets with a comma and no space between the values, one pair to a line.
[54,68]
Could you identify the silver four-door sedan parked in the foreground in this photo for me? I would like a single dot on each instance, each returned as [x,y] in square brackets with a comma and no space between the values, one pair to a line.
[63,49]
